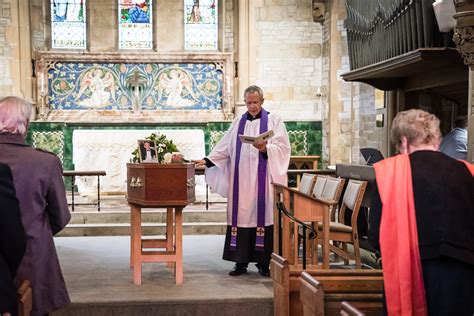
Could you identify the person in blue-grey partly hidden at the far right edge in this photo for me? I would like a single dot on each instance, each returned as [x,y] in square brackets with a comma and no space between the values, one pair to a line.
[454,144]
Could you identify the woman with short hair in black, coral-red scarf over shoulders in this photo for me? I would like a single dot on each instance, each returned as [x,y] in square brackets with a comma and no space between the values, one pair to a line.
[422,220]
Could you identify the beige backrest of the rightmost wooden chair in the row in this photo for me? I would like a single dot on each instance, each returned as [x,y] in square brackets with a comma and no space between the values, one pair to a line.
[352,200]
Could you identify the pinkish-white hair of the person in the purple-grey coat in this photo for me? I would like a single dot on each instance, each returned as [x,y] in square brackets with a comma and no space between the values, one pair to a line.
[14,115]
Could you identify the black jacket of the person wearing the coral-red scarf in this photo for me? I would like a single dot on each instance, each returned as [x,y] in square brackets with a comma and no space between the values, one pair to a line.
[443,191]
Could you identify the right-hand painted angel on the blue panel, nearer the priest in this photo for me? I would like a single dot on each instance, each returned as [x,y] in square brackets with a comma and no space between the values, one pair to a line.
[174,84]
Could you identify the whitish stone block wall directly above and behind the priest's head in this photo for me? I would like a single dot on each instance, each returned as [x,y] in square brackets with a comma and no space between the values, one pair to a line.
[288,58]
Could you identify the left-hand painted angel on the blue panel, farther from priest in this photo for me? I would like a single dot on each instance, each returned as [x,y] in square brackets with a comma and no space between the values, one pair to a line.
[101,85]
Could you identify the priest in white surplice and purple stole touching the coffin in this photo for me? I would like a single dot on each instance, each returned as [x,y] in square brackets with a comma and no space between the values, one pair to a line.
[244,172]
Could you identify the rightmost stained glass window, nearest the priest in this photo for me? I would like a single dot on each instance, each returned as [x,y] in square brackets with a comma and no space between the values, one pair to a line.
[200,24]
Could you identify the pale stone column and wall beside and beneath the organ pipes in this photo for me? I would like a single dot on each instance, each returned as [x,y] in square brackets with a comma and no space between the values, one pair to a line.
[349,115]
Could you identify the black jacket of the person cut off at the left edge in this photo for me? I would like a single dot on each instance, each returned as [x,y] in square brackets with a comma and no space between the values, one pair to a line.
[12,241]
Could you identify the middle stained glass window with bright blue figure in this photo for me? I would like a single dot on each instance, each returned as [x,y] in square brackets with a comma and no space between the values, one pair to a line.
[135,24]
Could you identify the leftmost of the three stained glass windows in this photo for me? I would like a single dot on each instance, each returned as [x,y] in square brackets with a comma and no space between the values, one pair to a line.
[68,24]
